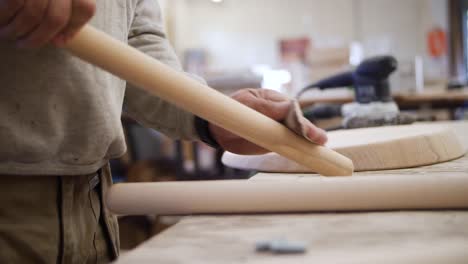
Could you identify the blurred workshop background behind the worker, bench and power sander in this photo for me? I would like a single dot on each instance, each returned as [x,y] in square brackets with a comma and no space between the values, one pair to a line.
[287,45]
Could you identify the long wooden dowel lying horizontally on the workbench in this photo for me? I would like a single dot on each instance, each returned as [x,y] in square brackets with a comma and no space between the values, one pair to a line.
[284,196]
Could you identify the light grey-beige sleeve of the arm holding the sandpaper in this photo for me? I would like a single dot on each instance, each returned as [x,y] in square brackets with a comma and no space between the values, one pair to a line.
[147,35]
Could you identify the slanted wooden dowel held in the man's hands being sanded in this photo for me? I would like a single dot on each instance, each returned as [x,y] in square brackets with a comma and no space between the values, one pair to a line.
[99,49]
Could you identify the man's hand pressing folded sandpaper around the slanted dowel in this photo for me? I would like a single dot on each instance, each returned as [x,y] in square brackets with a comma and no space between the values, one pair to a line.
[270,103]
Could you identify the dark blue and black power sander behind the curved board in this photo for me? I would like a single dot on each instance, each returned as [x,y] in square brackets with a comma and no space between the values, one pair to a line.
[373,106]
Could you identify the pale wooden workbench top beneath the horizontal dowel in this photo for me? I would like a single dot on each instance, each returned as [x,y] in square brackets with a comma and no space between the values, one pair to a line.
[355,237]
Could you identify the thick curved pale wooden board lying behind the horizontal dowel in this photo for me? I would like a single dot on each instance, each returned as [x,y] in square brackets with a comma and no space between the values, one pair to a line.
[391,147]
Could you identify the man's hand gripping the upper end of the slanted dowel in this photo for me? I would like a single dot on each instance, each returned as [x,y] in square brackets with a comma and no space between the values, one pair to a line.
[34,23]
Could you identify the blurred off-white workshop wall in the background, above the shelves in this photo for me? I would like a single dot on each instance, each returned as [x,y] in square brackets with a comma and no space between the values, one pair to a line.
[241,33]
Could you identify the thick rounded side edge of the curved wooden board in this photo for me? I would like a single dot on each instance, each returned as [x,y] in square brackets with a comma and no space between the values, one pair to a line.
[441,146]
